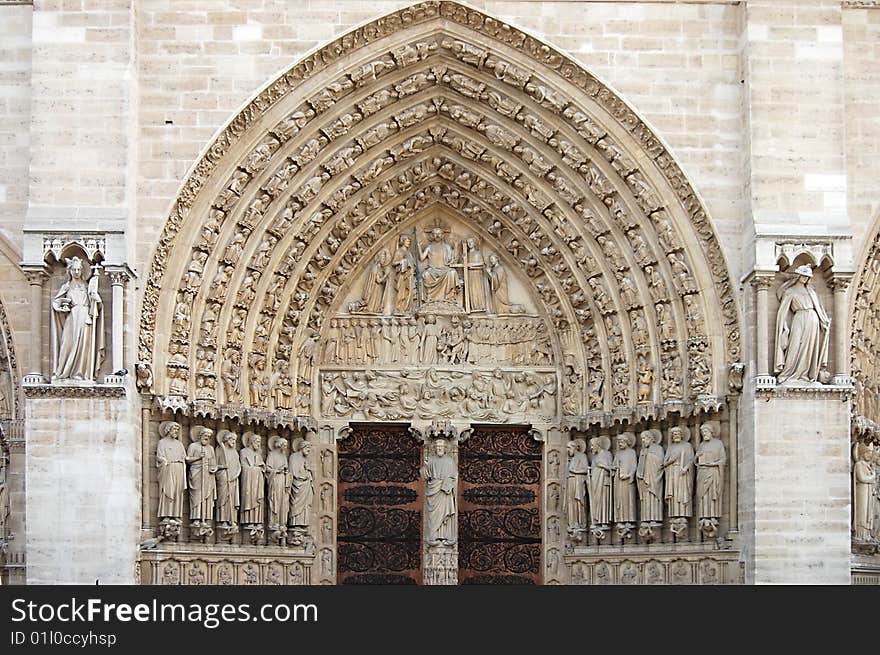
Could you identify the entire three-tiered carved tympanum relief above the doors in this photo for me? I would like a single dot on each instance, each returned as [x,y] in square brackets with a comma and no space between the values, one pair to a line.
[437,326]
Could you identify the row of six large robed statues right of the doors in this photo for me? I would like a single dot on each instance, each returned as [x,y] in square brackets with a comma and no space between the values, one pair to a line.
[629,488]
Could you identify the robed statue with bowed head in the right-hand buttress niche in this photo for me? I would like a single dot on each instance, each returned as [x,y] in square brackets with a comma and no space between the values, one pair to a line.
[802,338]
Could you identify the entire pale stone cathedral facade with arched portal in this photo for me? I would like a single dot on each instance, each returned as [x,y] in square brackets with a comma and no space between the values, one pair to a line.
[516,292]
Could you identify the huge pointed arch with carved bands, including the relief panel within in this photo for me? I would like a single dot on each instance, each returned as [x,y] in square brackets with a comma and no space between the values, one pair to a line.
[437,217]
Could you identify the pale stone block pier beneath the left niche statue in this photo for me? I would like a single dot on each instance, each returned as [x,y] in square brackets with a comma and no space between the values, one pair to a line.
[83,465]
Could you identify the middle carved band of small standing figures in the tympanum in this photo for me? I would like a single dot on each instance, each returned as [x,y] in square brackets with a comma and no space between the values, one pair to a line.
[423,340]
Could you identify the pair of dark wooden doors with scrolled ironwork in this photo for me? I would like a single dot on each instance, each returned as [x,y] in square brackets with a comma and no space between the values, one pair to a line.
[381,497]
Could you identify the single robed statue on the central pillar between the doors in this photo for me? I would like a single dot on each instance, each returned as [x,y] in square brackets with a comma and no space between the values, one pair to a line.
[441,485]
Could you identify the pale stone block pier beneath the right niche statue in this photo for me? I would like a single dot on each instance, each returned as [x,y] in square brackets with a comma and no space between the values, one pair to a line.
[798,519]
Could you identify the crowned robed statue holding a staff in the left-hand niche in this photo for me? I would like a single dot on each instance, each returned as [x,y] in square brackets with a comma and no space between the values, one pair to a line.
[78,322]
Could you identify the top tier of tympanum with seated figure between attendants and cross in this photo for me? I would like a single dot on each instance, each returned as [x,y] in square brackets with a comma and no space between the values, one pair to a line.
[437,268]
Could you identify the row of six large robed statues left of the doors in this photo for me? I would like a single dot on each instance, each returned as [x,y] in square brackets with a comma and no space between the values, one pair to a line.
[234,487]
